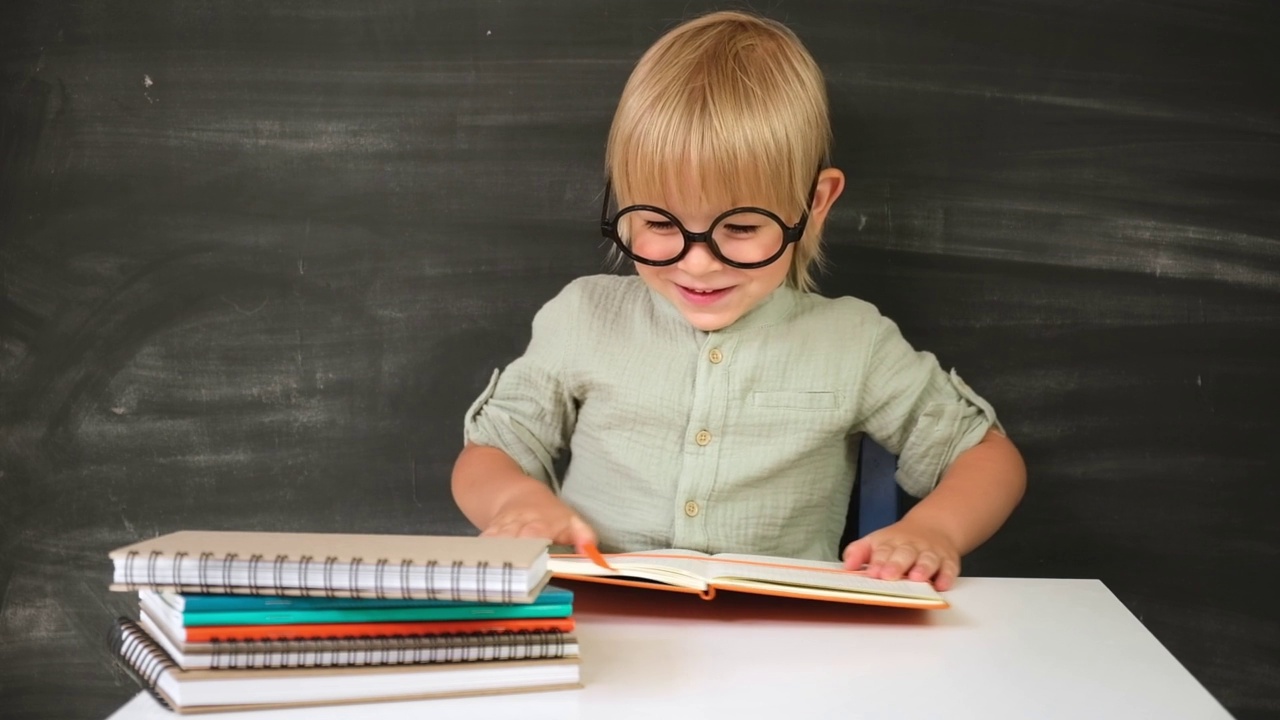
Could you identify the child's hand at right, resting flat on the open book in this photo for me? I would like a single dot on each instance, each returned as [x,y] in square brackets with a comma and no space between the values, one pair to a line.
[907,549]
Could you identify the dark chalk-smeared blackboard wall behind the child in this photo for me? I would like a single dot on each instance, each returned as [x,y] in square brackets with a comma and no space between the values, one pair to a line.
[257,258]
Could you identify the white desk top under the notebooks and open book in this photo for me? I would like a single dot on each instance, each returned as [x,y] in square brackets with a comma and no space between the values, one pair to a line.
[1008,649]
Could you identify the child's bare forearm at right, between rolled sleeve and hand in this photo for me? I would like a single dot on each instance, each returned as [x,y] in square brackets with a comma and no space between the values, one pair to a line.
[976,495]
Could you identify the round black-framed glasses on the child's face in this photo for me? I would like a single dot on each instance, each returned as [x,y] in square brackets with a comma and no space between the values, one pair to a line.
[743,238]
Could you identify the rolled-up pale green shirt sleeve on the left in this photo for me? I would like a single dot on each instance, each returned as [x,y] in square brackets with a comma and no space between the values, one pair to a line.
[528,411]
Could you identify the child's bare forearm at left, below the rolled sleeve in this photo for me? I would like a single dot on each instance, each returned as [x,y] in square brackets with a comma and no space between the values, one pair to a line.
[487,480]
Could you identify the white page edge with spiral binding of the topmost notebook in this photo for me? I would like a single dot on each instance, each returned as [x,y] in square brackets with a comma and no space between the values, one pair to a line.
[308,576]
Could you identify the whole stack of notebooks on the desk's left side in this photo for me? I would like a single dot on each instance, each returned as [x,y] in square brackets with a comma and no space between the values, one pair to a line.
[237,621]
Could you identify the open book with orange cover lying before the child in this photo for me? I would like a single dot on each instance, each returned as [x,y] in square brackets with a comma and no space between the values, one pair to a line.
[687,571]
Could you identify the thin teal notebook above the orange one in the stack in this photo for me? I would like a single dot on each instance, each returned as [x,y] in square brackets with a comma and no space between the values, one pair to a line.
[548,605]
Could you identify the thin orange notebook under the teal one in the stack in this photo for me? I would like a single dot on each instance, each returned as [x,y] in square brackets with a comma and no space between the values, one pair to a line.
[221,634]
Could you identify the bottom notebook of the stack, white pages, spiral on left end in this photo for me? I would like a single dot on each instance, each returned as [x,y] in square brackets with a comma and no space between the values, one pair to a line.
[209,691]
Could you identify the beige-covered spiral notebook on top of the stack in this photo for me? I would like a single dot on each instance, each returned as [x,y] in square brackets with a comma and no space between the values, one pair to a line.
[481,569]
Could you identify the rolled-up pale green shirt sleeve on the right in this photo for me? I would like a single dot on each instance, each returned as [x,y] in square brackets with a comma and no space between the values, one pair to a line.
[918,412]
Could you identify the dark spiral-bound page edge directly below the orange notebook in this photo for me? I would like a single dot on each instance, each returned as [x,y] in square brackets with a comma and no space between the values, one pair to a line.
[481,648]
